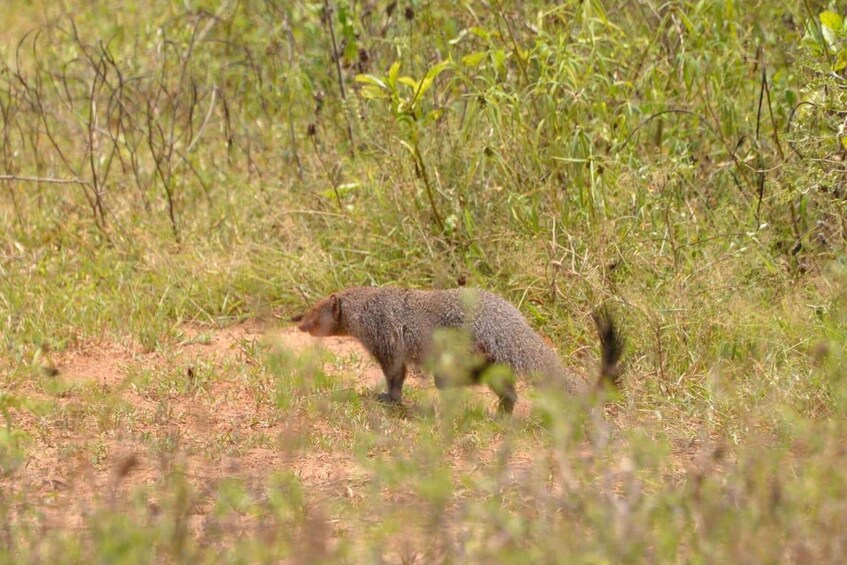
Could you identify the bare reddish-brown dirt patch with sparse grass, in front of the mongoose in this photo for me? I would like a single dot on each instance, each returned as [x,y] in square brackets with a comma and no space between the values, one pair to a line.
[93,447]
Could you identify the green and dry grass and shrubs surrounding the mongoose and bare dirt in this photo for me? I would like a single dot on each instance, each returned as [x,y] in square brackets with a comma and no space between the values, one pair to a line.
[171,163]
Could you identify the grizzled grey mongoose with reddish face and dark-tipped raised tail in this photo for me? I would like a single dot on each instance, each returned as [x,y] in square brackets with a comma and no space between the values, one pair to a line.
[397,327]
